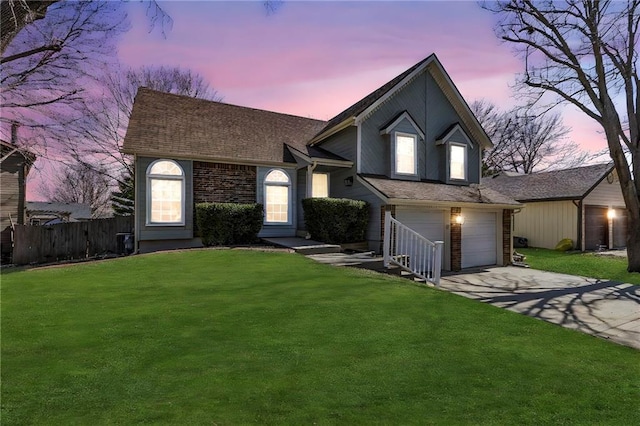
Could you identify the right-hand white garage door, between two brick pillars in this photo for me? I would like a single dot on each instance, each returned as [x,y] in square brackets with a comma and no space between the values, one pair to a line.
[479,241]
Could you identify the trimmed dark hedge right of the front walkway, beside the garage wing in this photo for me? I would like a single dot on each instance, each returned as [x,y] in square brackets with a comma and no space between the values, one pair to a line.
[336,220]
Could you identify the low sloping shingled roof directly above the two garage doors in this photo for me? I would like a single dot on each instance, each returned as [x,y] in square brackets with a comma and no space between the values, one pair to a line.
[438,193]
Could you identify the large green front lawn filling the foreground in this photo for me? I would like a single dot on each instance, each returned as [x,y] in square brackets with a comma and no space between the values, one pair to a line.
[238,337]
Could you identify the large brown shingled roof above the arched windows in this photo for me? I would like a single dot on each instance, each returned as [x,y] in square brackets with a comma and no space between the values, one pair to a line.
[168,125]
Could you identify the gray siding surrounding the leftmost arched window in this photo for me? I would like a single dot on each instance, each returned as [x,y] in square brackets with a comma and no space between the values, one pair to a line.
[151,233]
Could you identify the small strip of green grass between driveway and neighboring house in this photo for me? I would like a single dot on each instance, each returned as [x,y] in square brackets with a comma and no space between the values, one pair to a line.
[591,265]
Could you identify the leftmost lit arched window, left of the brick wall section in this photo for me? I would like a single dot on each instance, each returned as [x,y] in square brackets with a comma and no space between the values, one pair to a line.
[165,193]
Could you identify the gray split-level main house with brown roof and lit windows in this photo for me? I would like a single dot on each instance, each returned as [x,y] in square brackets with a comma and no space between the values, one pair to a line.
[411,147]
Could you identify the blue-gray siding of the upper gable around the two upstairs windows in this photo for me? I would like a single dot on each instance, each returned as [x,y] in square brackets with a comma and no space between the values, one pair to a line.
[429,107]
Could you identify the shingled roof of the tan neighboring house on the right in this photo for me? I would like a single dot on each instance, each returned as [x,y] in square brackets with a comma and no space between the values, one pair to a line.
[567,184]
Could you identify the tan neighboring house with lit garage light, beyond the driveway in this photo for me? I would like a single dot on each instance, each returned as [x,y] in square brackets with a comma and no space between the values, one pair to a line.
[582,203]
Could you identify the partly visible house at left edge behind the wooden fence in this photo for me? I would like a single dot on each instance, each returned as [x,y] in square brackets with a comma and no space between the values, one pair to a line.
[15,164]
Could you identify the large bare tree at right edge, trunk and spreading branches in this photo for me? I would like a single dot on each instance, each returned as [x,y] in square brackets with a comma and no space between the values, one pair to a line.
[585,52]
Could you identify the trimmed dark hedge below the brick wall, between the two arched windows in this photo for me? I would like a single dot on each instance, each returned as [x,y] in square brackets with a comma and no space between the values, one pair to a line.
[228,223]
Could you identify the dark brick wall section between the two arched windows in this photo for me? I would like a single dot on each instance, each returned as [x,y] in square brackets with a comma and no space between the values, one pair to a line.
[223,183]
